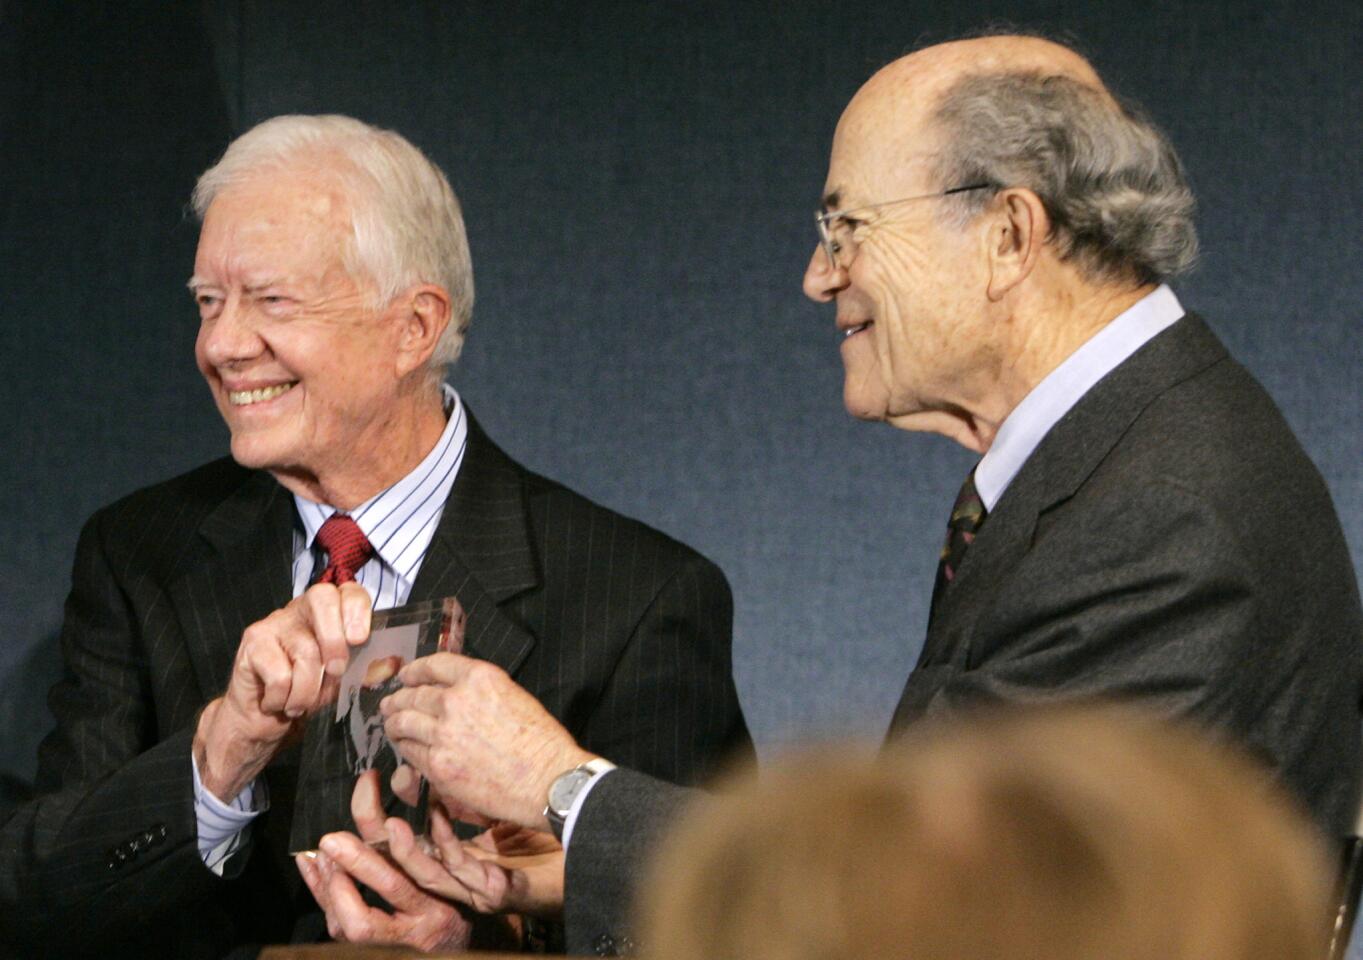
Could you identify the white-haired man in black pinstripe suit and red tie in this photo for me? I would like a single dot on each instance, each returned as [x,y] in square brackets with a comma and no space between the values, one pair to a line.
[212,616]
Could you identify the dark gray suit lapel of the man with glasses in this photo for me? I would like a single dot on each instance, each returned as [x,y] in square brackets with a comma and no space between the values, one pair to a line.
[1065,459]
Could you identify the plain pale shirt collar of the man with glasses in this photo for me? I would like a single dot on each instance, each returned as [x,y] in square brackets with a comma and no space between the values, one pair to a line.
[1067,385]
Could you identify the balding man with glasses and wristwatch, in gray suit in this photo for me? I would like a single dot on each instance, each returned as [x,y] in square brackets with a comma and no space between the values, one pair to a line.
[996,238]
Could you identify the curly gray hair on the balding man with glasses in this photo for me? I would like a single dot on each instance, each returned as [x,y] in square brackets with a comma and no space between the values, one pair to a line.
[1112,183]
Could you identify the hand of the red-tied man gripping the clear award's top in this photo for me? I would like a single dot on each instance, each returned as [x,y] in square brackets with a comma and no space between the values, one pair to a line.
[288,666]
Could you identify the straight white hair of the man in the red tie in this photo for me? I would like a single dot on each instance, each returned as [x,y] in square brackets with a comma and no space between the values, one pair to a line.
[405,220]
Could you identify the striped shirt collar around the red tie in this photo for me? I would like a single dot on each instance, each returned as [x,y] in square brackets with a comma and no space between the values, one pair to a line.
[376,515]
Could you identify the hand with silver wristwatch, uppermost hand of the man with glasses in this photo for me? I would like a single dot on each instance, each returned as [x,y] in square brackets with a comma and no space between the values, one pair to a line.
[483,742]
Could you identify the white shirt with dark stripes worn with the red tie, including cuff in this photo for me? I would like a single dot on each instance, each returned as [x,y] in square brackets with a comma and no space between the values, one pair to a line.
[400,524]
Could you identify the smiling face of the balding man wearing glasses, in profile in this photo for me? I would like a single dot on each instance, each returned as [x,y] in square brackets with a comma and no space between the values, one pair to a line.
[908,288]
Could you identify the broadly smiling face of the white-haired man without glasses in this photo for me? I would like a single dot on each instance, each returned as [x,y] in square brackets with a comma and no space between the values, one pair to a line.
[301,365]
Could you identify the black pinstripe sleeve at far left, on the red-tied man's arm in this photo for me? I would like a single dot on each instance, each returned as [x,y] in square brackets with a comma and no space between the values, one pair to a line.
[110,843]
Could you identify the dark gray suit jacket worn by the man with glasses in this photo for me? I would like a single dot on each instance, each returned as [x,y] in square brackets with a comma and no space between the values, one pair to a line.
[1167,543]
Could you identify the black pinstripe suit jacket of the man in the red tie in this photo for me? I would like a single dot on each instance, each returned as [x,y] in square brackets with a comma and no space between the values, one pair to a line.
[619,631]
